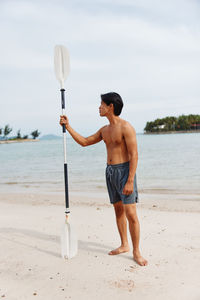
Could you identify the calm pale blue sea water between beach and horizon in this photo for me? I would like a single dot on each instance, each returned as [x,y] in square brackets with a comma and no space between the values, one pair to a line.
[168,164]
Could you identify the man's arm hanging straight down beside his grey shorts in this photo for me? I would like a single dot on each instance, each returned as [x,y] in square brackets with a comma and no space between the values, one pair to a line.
[131,143]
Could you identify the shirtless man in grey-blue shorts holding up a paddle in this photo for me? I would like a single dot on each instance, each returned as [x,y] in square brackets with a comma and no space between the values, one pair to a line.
[122,156]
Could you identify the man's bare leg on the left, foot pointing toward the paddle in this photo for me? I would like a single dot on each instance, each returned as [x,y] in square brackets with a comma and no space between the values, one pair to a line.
[122,228]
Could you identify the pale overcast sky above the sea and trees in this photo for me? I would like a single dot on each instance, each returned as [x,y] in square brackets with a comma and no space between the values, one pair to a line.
[146,50]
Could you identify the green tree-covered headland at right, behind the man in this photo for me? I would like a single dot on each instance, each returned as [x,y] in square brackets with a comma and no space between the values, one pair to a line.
[183,122]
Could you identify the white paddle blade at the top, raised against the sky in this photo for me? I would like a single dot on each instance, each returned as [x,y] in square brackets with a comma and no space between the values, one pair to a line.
[61,63]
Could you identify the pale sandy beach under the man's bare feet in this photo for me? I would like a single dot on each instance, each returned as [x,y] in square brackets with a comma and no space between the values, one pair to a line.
[31,266]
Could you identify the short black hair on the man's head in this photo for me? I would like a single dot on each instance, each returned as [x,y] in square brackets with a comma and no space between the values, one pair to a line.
[115,99]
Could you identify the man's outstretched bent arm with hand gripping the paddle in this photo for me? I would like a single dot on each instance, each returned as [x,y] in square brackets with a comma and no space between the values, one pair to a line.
[83,141]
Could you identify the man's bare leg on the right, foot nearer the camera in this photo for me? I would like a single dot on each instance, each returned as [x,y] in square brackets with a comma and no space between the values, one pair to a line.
[134,228]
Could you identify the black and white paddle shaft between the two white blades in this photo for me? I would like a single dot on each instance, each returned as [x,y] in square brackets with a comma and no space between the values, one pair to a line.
[65,163]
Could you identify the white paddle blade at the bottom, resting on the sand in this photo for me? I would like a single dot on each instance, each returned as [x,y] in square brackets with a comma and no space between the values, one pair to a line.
[69,242]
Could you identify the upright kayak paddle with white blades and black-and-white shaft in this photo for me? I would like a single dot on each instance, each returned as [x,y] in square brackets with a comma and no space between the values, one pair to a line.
[69,243]
